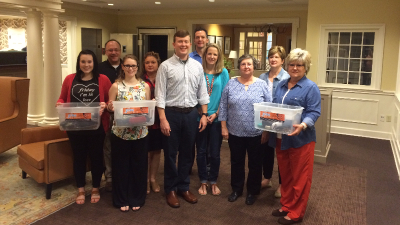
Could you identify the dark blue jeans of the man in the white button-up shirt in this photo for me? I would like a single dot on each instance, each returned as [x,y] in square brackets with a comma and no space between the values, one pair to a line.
[182,137]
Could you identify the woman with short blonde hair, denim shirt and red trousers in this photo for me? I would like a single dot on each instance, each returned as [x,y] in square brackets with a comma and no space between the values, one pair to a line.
[295,151]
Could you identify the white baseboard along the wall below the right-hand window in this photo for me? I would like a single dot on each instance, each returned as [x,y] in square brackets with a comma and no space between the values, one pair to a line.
[361,133]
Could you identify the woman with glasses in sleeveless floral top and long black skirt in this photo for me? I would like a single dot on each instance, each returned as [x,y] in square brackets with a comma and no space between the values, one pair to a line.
[128,144]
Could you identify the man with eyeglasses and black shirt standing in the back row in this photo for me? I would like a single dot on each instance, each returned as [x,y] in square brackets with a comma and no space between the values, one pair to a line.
[111,68]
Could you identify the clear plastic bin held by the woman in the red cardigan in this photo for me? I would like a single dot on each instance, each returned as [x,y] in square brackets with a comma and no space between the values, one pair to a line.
[75,116]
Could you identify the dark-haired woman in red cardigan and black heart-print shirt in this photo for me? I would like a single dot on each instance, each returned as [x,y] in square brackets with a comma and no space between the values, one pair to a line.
[89,87]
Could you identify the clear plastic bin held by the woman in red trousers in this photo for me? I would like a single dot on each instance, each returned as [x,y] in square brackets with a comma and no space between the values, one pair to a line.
[278,118]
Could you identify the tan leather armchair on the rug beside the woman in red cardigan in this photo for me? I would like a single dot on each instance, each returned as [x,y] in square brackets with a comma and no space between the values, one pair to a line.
[45,154]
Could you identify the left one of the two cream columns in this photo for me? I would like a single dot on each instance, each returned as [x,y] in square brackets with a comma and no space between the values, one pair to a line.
[35,66]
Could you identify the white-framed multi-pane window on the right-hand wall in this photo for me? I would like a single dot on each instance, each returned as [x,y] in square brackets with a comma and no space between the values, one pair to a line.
[351,56]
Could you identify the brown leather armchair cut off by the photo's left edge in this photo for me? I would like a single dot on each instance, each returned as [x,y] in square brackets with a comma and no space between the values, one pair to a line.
[14,94]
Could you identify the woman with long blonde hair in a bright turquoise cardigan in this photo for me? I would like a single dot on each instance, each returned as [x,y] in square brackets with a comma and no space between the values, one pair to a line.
[216,78]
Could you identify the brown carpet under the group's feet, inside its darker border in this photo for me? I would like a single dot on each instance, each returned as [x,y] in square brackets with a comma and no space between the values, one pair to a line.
[338,196]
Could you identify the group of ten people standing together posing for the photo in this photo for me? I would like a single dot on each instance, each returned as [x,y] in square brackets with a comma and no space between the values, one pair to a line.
[197,104]
